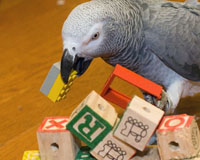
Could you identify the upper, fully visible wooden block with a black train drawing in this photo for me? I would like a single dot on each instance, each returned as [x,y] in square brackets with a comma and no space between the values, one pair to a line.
[138,123]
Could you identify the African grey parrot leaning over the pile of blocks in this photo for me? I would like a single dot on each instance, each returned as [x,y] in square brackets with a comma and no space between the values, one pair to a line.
[156,39]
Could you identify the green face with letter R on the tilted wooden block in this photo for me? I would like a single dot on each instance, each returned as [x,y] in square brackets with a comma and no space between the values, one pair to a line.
[88,126]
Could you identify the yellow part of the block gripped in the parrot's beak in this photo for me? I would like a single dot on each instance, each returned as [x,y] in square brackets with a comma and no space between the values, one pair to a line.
[59,88]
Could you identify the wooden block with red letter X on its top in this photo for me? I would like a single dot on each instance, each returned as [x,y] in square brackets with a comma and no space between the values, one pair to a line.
[55,142]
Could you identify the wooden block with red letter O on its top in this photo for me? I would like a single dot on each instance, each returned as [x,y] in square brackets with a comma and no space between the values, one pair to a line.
[178,137]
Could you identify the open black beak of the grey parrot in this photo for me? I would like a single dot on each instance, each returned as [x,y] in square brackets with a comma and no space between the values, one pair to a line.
[68,63]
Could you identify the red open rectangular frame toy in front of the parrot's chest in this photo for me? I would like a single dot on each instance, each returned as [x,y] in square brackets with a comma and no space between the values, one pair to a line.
[132,78]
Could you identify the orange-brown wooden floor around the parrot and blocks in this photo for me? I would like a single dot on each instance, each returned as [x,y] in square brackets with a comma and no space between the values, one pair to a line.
[30,42]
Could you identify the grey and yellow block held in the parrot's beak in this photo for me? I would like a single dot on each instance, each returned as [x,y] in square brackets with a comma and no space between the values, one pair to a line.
[53,86]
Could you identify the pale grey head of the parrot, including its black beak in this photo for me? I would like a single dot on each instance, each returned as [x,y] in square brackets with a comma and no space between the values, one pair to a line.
[93,29]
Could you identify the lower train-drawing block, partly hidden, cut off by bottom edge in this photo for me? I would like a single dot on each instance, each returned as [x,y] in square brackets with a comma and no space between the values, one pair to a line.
[112,148]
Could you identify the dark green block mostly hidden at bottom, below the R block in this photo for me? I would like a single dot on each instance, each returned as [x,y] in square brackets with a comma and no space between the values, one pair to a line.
[84,154]
